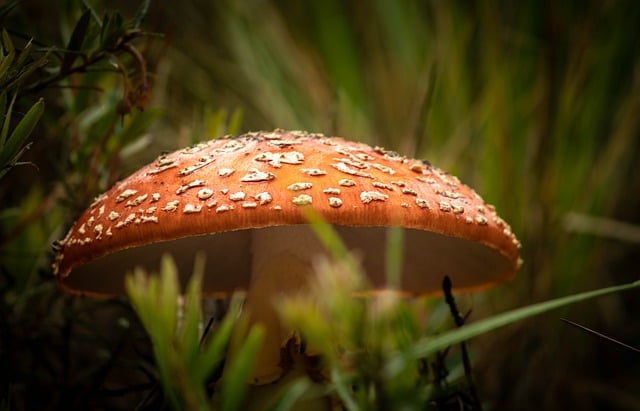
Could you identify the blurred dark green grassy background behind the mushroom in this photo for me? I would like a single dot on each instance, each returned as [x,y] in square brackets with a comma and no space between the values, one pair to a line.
[536,105]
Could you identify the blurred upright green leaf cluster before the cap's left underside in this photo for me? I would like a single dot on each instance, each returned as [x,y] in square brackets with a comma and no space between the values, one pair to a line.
[183,364]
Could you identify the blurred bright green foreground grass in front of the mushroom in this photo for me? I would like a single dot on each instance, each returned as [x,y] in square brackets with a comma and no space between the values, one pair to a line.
[371,347]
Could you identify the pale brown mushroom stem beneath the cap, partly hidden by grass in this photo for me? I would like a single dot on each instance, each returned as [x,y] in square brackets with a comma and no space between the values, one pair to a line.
[281,267]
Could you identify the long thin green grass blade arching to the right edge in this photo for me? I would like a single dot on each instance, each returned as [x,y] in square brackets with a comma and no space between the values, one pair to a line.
[432,344]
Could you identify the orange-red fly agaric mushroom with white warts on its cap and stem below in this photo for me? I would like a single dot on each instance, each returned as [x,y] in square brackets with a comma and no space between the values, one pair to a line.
[241,200]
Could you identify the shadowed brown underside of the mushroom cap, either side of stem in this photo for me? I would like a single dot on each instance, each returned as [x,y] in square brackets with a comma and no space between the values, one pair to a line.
[427,258]
